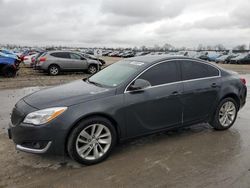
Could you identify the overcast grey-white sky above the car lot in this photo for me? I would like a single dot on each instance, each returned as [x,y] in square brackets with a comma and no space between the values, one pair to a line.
[125,23]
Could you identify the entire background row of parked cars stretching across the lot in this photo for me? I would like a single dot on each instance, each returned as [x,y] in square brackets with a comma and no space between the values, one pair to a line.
[56,61]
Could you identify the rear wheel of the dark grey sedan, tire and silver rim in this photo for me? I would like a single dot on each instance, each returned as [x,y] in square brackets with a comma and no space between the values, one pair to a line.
[225,114]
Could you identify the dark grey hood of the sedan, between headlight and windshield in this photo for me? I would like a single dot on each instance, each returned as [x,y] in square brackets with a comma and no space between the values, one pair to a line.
[67,95]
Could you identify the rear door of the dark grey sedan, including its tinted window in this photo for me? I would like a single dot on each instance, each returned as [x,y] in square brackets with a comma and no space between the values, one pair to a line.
[201,85]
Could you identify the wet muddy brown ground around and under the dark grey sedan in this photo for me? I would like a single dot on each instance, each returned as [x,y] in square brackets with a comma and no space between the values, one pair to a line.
[191,157]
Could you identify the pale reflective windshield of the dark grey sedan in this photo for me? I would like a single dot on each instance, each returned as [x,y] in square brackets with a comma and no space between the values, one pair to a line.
[116,74]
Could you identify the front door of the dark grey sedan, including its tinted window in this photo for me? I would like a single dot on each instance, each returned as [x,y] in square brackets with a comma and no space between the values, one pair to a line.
[159,106]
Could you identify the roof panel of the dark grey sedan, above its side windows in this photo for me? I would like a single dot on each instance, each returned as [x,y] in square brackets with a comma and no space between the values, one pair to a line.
[151,59]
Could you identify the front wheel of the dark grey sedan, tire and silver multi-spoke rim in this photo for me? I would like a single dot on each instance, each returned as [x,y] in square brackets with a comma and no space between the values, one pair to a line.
[87,148]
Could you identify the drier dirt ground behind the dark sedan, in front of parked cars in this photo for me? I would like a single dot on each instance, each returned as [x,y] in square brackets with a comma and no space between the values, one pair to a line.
[28,77]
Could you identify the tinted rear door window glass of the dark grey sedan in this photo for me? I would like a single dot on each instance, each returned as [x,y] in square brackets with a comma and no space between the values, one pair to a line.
[194,70]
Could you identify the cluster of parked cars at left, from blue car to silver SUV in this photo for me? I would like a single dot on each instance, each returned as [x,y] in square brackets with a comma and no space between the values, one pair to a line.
[52,62]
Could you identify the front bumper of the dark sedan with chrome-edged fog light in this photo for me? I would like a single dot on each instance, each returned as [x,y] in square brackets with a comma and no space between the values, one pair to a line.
[37,139]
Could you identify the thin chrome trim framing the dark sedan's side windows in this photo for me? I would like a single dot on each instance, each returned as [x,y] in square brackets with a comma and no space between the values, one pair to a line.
[171,83]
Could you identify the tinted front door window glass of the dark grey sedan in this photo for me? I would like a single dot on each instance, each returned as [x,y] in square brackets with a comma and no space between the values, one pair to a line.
[162,74]
